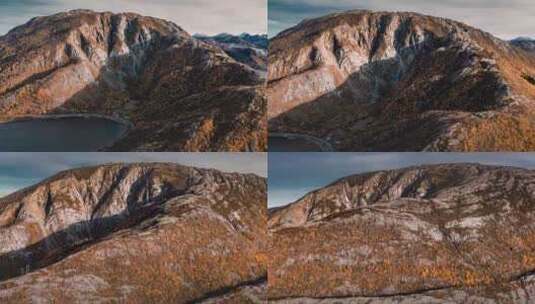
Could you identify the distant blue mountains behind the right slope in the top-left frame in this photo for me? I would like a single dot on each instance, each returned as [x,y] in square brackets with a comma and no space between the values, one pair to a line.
[245,48]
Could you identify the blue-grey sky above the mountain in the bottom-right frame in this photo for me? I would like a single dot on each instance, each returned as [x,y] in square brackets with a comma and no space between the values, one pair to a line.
[292,175]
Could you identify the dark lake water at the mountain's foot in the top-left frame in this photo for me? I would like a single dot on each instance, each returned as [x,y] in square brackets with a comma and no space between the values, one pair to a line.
[68,134]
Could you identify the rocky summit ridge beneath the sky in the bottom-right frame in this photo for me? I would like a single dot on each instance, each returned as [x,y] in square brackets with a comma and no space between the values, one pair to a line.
[425,182]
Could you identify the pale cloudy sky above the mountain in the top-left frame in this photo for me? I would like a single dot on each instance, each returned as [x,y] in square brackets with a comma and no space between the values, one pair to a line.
[195,16]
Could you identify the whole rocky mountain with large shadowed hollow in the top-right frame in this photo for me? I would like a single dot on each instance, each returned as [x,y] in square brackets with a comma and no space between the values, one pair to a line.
[381,81]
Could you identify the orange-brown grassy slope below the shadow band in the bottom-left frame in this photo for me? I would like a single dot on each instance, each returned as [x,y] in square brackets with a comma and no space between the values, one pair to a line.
[174,263]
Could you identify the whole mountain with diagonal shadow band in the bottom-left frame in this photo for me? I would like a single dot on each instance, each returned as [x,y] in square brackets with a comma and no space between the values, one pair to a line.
[136,233]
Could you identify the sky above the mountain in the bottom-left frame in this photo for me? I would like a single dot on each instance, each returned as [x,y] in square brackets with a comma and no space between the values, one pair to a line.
[19,170]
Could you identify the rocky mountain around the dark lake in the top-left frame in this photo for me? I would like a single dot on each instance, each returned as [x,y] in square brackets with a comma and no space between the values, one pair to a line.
[180,93]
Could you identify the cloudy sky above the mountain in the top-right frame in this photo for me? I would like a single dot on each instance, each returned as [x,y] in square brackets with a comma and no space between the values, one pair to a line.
[504,18]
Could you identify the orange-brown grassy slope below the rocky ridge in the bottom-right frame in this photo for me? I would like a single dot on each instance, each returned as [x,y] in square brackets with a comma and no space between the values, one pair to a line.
[317,261]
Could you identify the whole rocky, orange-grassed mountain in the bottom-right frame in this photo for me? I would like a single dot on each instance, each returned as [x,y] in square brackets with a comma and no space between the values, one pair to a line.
[451,233]
